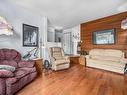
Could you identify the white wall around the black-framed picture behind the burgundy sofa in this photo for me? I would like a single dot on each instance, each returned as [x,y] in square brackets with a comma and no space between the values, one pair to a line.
[16,16]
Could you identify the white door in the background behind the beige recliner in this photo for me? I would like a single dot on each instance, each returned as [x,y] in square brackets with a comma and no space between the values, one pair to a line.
[67,43]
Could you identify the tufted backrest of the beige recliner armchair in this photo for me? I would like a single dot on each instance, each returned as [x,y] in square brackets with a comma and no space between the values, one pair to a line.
[56,52]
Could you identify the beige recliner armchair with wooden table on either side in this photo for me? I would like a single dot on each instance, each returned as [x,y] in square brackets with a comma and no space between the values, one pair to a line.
[57,58]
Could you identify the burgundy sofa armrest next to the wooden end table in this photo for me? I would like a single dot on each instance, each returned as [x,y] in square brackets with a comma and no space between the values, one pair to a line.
[28,63]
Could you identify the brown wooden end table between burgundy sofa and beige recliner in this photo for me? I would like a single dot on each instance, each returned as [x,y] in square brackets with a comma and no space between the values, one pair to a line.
[38,65]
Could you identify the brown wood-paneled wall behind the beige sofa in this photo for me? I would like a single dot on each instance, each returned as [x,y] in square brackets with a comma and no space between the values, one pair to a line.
[104,23]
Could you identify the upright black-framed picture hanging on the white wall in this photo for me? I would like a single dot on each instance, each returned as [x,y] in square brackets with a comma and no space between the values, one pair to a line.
[30,35]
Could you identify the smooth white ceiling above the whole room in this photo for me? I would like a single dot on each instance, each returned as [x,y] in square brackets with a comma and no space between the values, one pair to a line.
[68,13]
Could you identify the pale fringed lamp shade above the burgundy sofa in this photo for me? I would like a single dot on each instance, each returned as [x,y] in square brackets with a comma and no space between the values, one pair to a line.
[5,28]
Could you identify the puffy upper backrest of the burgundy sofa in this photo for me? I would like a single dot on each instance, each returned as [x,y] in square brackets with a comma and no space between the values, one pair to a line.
[10,54]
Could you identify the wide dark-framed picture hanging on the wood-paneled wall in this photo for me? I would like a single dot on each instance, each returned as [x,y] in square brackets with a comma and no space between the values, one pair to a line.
[104,37]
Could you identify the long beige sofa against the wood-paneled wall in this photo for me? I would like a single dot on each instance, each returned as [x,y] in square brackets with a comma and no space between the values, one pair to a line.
[107,59]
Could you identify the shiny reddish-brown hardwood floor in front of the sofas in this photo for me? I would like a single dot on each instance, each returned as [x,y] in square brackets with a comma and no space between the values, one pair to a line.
[77,80]
